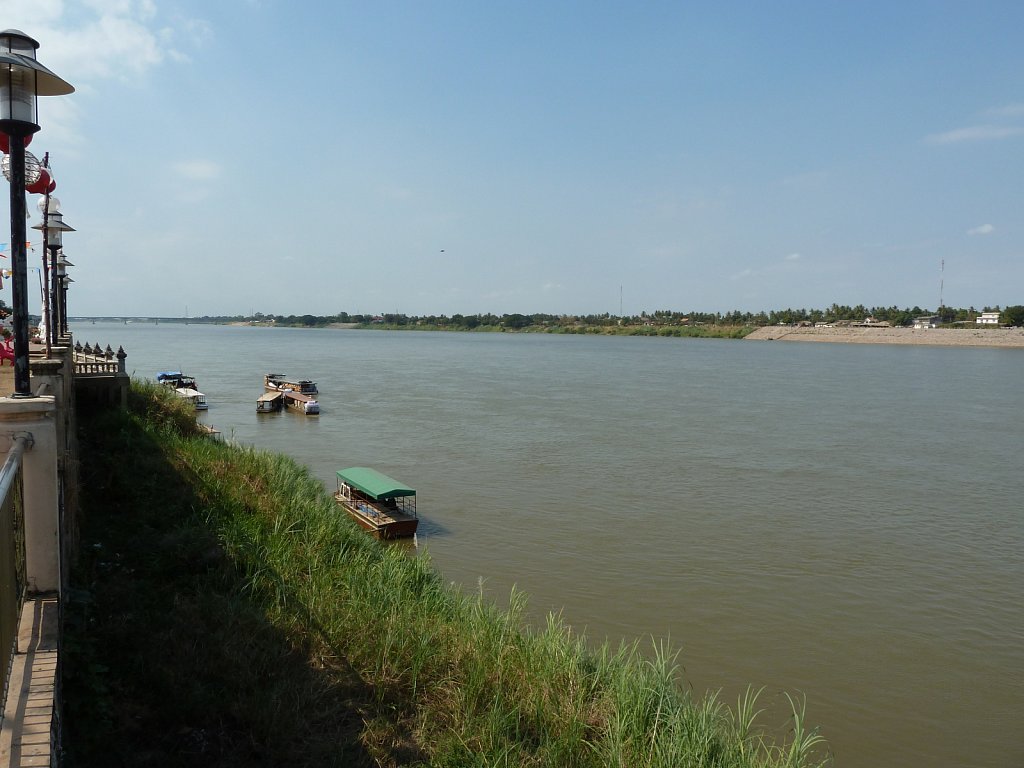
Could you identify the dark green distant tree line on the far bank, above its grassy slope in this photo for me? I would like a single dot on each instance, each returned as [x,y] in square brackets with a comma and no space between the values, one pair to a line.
[1011,316]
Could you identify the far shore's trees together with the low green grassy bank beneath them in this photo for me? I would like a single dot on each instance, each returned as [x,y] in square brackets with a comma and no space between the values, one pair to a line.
[734,325]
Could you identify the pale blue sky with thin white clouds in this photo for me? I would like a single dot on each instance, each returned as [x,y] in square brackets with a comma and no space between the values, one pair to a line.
[562,157]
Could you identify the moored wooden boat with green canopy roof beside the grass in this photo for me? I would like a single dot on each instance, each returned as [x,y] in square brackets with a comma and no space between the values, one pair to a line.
[380,504]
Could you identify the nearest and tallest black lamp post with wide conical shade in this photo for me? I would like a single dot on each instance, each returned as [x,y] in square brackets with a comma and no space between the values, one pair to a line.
[23,80]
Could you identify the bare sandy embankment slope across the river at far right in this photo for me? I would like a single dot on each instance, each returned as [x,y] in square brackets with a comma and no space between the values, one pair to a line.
[968,337]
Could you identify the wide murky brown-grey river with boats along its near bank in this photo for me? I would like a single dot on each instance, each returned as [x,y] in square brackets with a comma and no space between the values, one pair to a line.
[842,523]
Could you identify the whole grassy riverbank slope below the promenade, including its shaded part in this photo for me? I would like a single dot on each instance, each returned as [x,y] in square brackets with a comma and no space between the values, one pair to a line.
[226,614]
